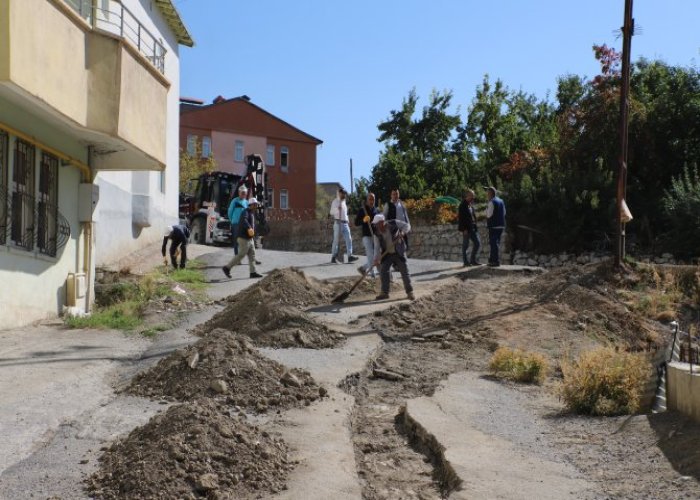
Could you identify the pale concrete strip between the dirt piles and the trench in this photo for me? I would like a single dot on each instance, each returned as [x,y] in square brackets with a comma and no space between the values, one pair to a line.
[327,468]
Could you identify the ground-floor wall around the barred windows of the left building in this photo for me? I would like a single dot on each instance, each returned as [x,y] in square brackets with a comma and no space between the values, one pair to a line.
[33,284]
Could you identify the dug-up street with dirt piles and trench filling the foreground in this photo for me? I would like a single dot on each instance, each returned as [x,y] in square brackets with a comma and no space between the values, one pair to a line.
[396,378]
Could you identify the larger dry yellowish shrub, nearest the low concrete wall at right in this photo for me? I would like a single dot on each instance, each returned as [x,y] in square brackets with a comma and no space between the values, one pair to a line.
[604,382]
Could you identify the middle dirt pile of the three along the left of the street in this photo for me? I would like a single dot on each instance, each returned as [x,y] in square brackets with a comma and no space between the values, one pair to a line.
[227,367]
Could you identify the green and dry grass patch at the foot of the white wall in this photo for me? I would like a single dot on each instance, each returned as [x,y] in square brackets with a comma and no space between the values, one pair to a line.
[124,305]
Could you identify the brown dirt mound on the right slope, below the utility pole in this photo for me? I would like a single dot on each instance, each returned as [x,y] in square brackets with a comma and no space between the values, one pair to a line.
[589,293]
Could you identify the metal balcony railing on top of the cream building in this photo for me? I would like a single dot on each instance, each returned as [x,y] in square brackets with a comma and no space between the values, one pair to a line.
[112,17]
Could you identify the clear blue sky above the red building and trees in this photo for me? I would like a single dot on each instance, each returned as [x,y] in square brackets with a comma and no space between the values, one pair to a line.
[336,69]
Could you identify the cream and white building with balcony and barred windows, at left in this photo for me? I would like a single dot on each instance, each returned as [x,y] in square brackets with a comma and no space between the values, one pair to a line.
[85,174]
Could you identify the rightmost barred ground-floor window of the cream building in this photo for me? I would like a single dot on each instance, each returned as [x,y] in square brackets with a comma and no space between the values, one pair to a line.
[48,205]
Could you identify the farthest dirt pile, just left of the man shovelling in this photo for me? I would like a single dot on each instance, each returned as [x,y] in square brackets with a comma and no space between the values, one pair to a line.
[270,312]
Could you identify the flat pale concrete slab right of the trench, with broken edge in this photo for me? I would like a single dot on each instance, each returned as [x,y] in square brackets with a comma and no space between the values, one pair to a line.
[490,443]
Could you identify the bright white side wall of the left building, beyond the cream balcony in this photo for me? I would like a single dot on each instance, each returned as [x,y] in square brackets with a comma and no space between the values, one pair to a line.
[115,232]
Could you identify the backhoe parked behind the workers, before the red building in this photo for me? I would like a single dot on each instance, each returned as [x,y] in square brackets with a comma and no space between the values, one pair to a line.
[206,210]
